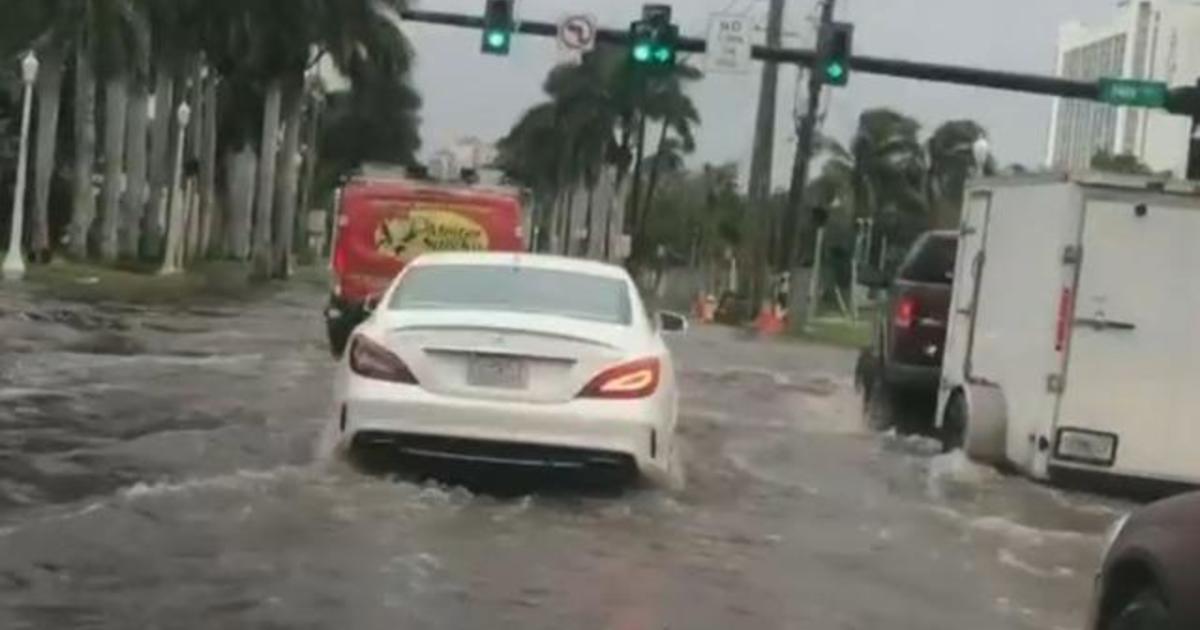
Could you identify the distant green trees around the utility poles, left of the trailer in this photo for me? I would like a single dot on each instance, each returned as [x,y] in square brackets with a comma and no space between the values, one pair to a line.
[886,173]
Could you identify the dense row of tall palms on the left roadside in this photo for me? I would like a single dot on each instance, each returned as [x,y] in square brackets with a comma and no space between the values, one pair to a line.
[113,77]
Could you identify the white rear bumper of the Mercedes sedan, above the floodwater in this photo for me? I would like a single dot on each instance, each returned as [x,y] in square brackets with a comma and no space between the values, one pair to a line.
[633,431]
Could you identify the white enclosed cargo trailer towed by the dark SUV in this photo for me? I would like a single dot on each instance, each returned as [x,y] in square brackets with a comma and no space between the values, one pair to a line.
[1073,346]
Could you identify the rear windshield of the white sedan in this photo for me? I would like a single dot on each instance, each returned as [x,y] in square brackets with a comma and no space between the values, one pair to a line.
[515,290]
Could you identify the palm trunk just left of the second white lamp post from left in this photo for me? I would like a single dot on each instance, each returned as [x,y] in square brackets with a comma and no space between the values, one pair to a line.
[160,165]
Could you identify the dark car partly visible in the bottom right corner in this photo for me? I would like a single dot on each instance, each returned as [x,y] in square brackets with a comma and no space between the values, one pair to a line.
[1150,579]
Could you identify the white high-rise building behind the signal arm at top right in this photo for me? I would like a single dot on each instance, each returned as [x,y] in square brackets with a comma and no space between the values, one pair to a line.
[1151,40]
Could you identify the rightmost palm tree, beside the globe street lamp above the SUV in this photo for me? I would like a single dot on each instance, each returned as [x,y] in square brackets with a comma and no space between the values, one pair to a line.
[951,163]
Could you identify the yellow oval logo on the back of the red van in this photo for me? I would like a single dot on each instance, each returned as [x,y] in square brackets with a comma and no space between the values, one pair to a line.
[429,231]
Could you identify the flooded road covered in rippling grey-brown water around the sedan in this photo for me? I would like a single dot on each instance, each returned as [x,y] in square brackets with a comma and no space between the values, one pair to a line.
[167,469]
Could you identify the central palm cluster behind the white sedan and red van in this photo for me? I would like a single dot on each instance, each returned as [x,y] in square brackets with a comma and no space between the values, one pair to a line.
[598,118]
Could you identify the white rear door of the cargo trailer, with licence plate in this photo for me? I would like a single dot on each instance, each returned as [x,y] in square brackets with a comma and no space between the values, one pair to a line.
[1131,401]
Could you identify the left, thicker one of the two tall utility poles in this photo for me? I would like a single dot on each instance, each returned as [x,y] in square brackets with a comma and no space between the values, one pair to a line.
[761,164]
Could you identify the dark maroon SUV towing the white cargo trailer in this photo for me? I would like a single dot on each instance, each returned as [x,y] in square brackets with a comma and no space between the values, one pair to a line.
[905,357]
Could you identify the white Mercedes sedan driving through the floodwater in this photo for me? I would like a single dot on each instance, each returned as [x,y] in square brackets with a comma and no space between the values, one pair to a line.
[514,359]
